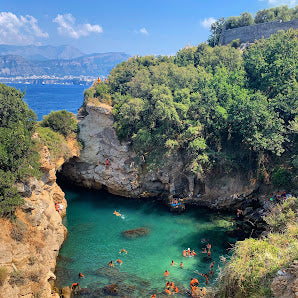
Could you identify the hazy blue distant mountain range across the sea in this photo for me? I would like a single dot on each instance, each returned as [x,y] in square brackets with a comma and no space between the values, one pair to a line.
[56,61]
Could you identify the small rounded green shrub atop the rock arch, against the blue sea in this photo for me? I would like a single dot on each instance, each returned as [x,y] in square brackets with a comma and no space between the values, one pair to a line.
[62,122]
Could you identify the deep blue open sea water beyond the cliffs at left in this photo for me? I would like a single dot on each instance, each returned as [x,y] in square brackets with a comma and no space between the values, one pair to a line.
[43,99]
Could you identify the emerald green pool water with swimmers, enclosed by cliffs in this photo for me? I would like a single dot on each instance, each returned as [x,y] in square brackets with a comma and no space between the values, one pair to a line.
[95,239]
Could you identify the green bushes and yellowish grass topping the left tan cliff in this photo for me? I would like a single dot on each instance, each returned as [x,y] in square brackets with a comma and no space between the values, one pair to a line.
[19,158]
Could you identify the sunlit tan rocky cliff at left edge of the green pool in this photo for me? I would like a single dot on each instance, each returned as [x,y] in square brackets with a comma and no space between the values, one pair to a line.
[30,244]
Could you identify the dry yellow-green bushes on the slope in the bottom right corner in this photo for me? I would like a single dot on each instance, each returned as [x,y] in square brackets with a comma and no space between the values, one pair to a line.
[254,262]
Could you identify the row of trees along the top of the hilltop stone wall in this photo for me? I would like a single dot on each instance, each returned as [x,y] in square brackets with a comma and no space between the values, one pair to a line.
[283,13]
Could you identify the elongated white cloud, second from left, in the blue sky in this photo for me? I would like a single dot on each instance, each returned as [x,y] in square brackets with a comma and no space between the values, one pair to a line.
[67,26]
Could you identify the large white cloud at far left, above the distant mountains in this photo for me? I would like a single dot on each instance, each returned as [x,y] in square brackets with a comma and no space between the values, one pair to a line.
[22,30]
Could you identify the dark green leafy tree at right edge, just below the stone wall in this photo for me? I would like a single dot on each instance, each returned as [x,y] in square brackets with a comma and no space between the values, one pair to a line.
[271,65]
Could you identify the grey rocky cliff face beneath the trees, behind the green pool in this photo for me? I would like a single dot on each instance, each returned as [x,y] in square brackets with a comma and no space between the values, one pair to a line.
[127,174]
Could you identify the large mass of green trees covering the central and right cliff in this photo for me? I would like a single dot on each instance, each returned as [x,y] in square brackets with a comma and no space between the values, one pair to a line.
[212,106]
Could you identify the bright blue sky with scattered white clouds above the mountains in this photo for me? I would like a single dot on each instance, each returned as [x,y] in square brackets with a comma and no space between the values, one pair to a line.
[135,27]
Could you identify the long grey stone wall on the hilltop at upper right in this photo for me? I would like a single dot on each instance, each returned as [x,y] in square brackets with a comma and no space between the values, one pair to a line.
[255,32]
